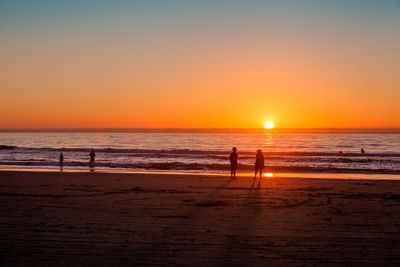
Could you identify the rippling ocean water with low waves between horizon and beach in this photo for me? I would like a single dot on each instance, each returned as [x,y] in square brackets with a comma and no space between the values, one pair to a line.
[204,151]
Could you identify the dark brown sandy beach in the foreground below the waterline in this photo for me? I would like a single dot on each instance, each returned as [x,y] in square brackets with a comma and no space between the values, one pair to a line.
[51,219]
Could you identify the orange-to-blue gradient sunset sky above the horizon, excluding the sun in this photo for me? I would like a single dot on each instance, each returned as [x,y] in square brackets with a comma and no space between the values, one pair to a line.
[200,63]
